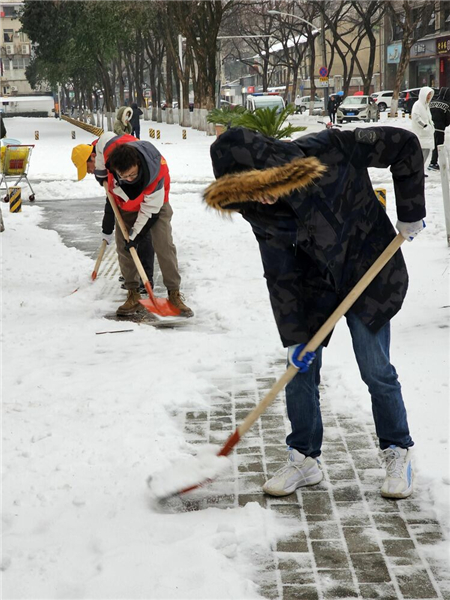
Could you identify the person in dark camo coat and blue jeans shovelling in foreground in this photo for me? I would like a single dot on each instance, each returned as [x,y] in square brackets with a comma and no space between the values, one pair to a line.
[320,227]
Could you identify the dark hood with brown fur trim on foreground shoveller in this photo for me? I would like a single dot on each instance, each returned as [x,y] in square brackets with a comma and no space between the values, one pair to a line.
[250,167]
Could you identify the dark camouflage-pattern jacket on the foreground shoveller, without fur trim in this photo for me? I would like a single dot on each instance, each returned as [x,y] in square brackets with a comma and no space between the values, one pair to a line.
[317,243]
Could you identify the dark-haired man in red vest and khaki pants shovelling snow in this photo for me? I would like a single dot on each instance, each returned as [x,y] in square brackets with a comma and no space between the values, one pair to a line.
[139,181]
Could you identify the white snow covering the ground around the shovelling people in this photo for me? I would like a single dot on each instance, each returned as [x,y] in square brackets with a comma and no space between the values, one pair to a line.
[87,418]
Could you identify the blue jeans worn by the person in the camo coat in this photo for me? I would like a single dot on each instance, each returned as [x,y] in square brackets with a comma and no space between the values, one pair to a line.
[389,413]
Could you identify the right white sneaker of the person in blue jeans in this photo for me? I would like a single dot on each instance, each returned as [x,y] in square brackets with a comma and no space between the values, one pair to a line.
[399,473]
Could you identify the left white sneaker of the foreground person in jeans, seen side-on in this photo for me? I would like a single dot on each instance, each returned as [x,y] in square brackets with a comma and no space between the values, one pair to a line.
[299,471]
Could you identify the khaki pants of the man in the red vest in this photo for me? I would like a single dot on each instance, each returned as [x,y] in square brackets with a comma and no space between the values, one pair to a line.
[164,249]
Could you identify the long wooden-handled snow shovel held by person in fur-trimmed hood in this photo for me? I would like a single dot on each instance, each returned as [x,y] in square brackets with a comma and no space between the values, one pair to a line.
[291,371]
